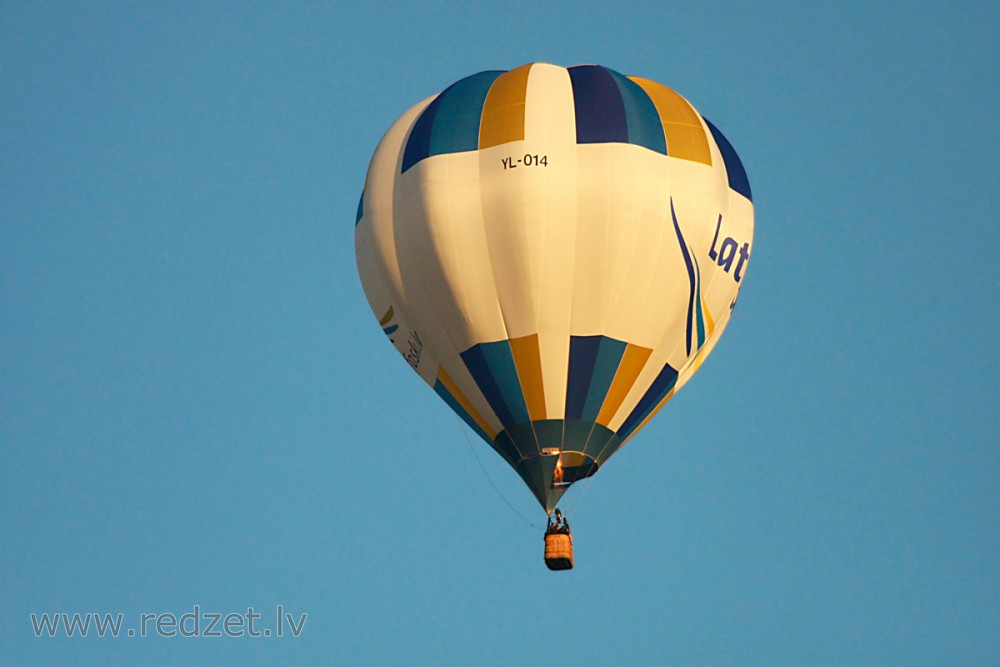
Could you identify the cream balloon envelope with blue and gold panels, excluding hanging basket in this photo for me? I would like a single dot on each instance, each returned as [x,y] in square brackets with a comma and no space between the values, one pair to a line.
[555,251]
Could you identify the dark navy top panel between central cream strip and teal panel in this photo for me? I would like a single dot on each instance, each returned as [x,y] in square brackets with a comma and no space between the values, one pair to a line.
[600,113]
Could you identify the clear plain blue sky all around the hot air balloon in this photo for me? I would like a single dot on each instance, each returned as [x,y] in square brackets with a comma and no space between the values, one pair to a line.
[197,406]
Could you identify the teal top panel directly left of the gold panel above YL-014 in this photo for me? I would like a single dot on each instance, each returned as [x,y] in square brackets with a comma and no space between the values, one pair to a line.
[456,125]
